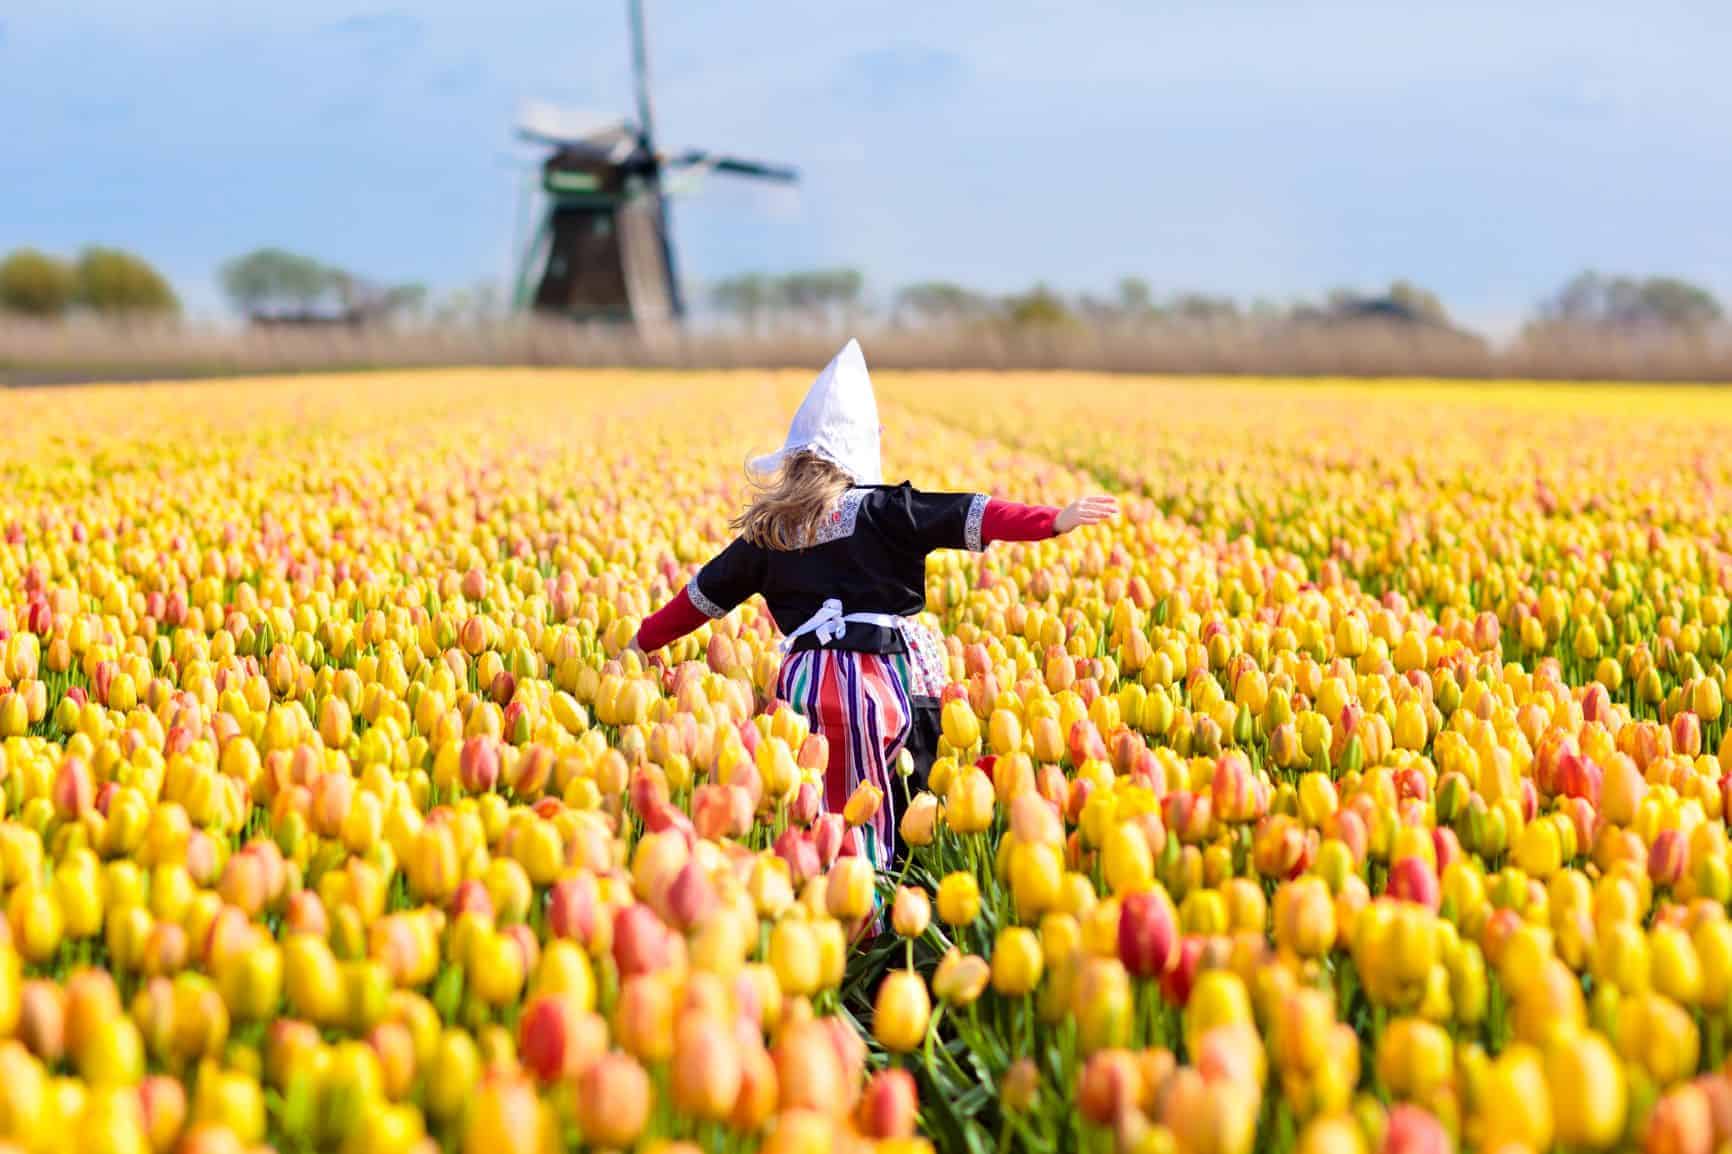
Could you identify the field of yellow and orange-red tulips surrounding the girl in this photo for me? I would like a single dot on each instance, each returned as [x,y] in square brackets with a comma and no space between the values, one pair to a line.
[1360,791]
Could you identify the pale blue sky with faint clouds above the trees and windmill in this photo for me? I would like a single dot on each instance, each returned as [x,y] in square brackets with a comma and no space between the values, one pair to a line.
[1234,146]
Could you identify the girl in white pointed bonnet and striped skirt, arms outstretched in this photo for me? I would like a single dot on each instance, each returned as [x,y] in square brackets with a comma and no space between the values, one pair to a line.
[841,559]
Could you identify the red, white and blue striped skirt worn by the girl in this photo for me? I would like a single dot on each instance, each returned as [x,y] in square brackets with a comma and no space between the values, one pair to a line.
[860,703]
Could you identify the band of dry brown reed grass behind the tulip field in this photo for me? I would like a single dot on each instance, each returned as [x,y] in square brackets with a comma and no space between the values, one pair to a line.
[82,351]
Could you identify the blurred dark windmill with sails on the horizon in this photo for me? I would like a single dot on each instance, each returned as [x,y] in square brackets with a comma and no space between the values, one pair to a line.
[604,250]
